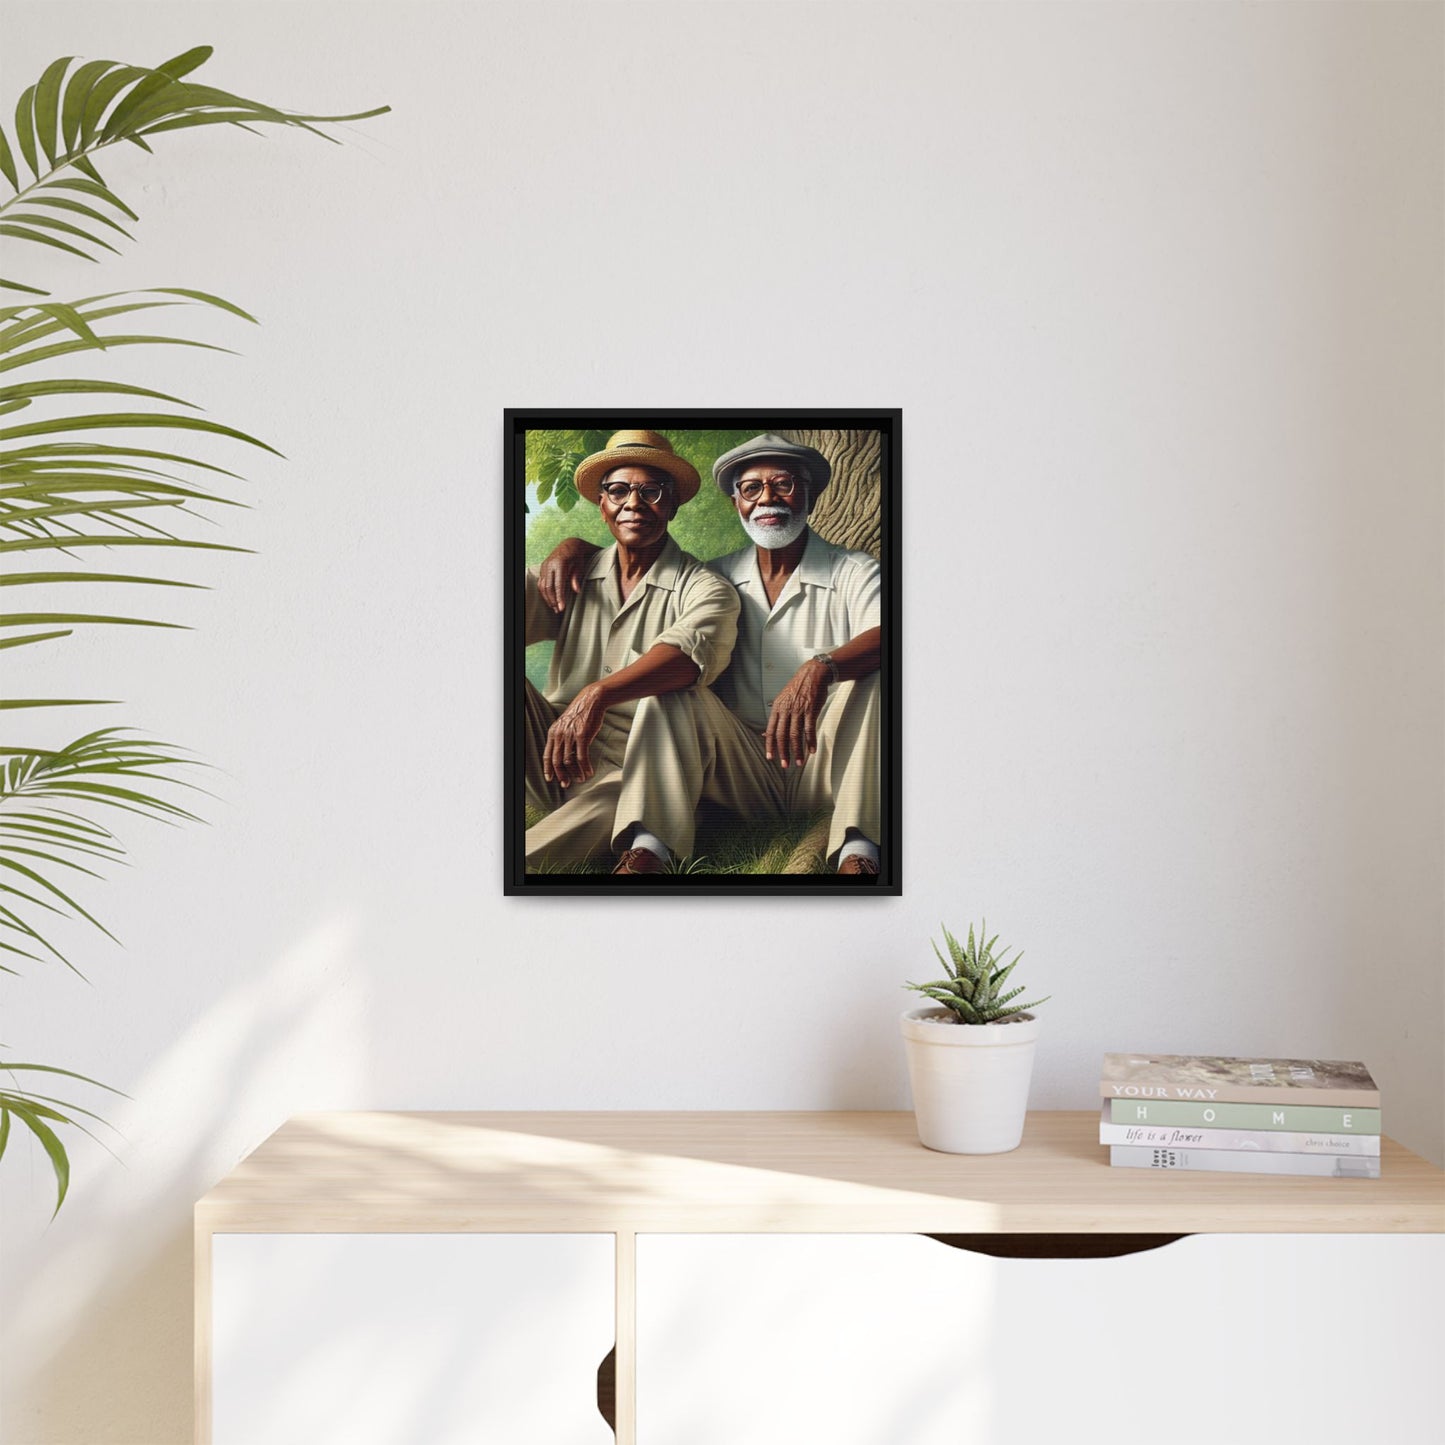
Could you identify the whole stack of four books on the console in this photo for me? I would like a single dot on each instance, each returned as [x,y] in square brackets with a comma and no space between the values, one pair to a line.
[1241,1116]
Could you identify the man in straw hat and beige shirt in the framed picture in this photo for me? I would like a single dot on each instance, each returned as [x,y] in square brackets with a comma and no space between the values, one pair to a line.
[615,746]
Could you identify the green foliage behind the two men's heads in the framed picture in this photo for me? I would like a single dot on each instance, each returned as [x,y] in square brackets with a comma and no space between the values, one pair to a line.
[707,527]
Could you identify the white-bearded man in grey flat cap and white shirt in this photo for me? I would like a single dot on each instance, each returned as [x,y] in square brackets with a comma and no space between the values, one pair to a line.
[801,729]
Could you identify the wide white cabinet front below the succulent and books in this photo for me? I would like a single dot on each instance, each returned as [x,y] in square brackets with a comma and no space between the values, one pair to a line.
[900,1340]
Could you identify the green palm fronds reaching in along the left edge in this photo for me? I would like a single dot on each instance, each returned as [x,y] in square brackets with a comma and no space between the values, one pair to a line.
[85,473]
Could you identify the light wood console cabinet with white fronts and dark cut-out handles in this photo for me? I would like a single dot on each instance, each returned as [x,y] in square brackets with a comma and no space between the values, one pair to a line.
[764,1278]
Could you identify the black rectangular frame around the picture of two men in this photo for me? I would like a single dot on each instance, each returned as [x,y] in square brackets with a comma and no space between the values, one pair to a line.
[518,423]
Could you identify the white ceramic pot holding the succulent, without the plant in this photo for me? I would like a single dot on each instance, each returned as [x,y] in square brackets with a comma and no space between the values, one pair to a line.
[970,1080]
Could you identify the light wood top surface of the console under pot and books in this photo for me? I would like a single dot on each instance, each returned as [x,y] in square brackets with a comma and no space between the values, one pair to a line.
[826,1173]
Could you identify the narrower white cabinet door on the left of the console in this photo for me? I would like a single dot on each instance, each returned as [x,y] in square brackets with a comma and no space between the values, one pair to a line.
[408,1339]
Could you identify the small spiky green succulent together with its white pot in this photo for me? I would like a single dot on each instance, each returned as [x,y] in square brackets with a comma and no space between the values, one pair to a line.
[972,1057]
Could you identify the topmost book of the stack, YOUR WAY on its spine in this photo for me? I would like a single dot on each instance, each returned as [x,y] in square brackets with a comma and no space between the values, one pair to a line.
[1241,1082]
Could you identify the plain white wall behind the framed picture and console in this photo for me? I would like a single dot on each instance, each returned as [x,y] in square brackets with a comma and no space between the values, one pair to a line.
[1160,293]
